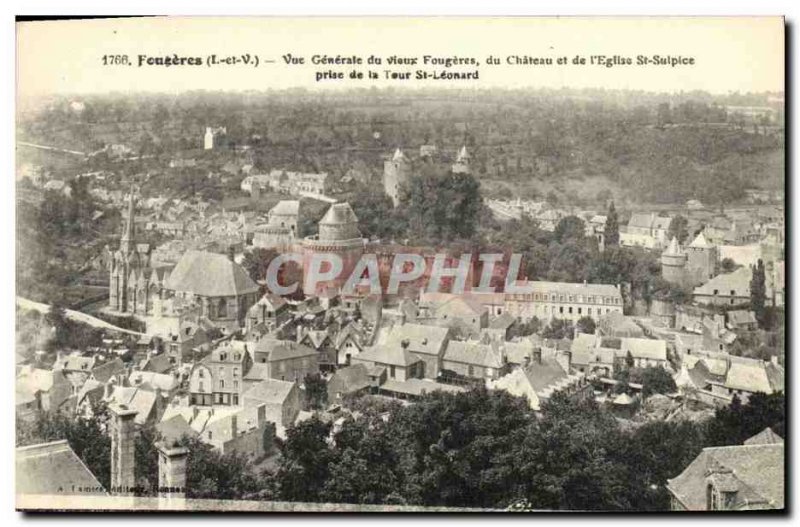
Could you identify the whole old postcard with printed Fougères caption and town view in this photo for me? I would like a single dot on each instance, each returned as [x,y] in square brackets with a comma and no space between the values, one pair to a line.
[400,264]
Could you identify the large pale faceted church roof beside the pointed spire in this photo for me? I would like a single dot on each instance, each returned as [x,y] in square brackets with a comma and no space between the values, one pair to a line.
[211,275]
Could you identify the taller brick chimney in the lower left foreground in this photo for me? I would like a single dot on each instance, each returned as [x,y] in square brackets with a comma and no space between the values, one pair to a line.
[123,435]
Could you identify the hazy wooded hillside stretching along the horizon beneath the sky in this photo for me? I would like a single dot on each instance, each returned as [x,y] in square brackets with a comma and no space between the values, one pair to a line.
[662,148]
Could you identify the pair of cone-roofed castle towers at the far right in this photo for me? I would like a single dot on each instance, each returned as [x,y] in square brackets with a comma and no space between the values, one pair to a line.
[694,265]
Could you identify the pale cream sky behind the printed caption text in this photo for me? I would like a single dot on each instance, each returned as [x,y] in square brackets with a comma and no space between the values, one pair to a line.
[731,54]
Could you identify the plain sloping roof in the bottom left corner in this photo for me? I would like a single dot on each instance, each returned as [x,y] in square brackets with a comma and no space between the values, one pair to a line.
[53,468]
